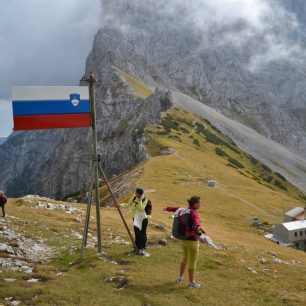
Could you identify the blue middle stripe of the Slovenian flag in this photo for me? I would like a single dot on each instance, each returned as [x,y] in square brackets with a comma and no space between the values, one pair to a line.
[48,107]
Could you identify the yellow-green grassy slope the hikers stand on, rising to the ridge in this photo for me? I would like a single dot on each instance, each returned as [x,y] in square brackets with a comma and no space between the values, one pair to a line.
[226,214]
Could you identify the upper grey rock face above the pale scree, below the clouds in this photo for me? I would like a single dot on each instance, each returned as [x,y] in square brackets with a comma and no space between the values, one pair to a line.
[205,64]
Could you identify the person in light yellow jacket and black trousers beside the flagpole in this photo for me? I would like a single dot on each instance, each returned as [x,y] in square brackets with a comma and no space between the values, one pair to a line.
[141,209]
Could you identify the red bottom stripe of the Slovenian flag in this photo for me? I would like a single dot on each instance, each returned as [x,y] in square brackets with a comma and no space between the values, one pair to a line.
[44,122]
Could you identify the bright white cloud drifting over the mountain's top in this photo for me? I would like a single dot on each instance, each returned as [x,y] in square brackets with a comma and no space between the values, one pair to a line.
[266,24]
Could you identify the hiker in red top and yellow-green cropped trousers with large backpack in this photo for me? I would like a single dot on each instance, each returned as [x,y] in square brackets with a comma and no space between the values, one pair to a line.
[187,227]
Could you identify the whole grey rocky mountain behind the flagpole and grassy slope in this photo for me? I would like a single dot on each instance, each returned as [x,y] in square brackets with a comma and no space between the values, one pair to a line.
[145,51]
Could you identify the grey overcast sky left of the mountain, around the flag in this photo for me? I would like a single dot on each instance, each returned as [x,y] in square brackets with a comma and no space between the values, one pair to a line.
[43,42]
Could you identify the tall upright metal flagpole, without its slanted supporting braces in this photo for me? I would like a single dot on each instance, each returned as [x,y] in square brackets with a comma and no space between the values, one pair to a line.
[91,82]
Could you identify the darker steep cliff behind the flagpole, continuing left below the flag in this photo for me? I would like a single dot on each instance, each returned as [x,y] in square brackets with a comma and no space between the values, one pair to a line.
[56,162]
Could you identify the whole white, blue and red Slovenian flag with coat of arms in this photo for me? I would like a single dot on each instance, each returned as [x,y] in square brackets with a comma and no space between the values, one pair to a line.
[50,107]
